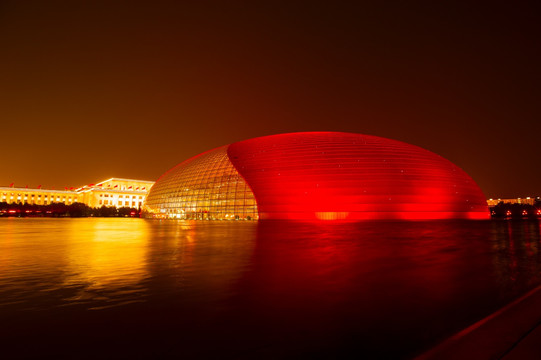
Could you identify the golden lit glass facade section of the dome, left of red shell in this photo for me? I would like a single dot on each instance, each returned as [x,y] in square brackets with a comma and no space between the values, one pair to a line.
[206,187]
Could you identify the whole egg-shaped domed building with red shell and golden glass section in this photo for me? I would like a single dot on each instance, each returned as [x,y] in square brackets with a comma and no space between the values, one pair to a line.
[316,176]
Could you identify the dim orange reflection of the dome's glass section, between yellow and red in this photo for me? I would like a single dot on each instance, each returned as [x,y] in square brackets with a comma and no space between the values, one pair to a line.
[193,261]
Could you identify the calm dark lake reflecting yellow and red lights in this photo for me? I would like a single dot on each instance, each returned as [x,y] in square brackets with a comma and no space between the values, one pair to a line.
[135,288]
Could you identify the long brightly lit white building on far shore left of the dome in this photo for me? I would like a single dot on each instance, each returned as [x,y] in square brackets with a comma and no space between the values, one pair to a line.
[112,192]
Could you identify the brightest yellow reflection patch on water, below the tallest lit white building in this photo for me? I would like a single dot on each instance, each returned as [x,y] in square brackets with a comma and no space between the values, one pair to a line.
[107,254]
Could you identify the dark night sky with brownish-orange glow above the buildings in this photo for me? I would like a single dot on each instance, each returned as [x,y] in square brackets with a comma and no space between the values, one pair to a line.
[91,90]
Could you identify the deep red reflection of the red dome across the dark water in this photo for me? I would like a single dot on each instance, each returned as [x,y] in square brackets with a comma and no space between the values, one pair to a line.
[384,288]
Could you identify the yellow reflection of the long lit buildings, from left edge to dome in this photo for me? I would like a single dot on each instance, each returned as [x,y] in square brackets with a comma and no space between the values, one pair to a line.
[60,262]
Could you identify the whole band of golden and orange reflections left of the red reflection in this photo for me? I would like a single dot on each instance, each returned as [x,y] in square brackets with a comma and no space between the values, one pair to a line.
[99,263]
